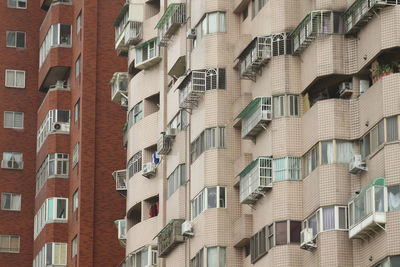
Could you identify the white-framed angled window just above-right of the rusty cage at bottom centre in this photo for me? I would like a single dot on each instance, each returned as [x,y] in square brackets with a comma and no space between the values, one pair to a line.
[208,198]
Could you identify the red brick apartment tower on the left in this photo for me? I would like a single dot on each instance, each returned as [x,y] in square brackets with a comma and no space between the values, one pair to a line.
[61,136]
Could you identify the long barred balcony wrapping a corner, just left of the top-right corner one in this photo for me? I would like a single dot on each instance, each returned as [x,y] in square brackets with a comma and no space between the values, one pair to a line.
[315,24]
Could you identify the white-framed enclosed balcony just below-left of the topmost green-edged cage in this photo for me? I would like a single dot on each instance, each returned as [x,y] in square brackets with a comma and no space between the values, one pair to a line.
[147,54]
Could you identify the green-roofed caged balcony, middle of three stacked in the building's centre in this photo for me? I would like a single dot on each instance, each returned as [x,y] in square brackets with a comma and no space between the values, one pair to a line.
[255,117]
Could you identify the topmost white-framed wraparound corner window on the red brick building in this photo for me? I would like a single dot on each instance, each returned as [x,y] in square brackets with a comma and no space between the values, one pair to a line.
[58,35]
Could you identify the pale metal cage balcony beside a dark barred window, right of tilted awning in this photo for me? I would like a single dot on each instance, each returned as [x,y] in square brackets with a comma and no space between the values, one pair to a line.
[192,88]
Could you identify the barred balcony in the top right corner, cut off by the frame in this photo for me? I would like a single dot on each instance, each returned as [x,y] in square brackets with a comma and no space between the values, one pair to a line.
[362,11]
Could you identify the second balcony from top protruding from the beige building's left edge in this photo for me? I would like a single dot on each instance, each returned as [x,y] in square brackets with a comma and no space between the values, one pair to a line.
[119,88]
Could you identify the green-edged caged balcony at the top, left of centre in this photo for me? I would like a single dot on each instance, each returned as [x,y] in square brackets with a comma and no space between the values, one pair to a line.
[173,18]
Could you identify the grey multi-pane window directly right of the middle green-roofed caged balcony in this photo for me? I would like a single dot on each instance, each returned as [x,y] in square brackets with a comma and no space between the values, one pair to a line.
[286,105]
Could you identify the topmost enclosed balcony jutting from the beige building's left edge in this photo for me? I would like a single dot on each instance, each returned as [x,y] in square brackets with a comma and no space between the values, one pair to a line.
[128,27]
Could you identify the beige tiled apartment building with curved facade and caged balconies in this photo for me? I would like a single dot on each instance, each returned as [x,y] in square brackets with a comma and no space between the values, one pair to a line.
[260,133]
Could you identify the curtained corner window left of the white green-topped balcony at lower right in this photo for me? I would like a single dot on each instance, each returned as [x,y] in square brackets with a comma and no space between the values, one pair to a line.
[327,218]
